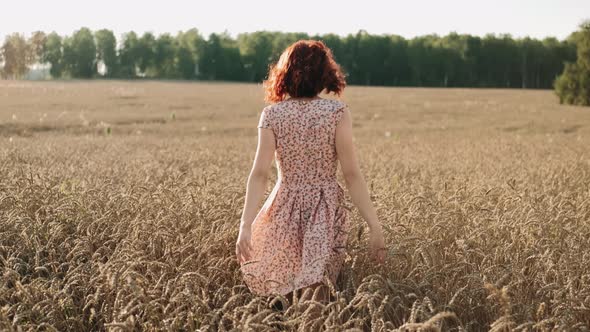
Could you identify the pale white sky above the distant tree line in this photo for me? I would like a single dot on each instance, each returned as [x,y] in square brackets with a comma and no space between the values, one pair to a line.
[534,18]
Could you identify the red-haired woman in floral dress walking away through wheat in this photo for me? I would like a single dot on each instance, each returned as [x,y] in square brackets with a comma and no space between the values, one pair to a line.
[298,238]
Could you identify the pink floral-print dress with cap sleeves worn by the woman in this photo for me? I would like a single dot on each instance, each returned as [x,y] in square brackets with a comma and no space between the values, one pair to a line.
[299,235]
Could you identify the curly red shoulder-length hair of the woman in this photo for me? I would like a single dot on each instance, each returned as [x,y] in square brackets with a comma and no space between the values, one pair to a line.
[304,69]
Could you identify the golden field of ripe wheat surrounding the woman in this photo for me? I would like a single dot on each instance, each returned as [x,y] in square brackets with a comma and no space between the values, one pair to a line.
[120,204]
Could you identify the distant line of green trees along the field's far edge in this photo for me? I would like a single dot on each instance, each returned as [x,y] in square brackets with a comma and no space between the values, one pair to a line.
[454,60]
